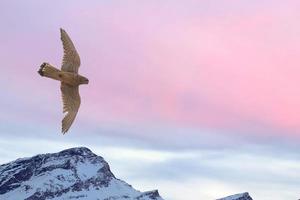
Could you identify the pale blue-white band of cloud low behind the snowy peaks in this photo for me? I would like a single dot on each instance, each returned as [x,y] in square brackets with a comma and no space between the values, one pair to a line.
[202,173]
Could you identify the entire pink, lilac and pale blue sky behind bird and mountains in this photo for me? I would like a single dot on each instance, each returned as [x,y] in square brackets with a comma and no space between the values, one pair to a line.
[198,99]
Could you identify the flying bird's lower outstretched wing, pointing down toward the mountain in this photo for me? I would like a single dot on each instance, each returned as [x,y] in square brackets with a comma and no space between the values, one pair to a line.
[71,104]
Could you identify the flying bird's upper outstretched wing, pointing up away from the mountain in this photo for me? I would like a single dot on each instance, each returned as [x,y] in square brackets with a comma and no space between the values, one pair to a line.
[71,59]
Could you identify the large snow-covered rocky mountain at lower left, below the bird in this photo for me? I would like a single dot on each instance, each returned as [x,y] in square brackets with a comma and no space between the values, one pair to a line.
[75,173]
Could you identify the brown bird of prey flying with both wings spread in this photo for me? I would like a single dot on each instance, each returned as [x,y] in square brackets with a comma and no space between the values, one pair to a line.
[69,78]
